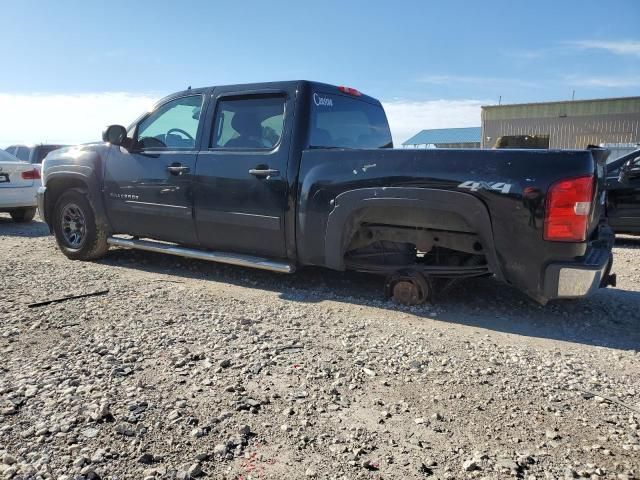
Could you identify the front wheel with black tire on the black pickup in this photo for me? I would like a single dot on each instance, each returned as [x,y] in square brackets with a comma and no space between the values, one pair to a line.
[78,234]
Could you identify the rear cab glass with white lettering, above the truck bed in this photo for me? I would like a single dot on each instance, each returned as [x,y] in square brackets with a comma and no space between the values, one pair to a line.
[338,121]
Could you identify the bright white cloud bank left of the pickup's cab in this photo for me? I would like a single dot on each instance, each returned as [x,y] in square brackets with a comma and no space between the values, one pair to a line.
[66,118]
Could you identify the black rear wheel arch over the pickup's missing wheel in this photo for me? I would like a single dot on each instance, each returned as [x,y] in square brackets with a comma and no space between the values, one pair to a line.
[412,215]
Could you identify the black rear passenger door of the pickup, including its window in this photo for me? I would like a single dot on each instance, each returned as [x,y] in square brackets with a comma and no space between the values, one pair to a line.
[241,190]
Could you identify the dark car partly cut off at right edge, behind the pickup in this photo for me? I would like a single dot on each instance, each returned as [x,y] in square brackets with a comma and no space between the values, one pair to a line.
[623,193]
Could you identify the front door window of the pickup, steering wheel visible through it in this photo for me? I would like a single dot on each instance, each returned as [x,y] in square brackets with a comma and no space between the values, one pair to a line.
[171,126]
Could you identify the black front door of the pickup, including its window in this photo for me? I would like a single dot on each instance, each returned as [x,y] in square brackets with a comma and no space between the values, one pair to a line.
[148,190]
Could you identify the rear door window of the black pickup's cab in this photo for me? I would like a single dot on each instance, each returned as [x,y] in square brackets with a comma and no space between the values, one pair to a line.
[254,122]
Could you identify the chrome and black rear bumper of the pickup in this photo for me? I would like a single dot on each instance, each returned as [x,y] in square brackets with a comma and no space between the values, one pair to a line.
[583,276]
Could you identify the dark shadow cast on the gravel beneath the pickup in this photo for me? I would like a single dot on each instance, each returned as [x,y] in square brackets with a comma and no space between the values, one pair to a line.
[610,318]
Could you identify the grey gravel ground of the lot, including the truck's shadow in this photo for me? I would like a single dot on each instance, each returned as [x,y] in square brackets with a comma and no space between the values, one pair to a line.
[189,369]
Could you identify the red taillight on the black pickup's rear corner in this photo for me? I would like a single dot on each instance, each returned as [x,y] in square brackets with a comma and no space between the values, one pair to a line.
[567,210]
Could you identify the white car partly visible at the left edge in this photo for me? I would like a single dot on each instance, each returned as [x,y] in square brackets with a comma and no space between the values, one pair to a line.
[19,182]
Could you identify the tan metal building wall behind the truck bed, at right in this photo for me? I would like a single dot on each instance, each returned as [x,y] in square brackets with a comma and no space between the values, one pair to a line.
[569,124]
